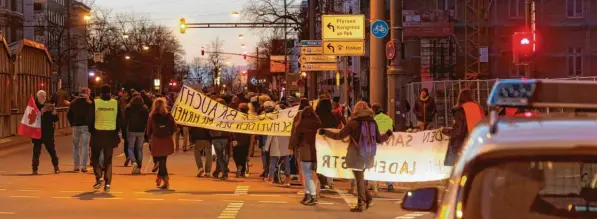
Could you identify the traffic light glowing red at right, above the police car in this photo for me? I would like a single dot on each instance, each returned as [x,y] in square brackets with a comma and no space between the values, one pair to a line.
[523,48]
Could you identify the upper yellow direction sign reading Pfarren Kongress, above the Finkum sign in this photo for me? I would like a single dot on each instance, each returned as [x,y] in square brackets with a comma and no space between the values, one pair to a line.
[343,27]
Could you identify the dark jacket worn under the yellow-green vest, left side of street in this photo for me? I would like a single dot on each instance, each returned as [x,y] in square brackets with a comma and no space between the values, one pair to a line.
[104,138]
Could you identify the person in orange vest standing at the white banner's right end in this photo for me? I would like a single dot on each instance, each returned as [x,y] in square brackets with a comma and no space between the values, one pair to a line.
[467,113]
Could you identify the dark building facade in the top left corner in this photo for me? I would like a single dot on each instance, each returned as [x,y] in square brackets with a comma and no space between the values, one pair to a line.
[11,20]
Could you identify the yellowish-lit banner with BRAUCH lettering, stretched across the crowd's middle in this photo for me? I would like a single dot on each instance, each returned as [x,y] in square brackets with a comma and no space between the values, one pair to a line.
[194,109]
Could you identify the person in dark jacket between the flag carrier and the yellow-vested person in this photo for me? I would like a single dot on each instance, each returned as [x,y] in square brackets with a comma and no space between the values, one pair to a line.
[77,117]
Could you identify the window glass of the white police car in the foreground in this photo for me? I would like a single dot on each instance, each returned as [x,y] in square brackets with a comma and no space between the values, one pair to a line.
[533,189]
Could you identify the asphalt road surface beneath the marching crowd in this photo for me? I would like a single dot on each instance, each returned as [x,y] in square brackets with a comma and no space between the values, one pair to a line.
[70,195]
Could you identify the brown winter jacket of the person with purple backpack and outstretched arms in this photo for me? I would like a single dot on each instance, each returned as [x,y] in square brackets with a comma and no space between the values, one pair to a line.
[354,160]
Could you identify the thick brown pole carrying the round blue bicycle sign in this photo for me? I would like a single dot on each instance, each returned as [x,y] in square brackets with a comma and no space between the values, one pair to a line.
[378,60]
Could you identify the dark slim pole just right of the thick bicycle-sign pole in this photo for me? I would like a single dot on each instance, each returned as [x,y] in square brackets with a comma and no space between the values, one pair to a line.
[396,75]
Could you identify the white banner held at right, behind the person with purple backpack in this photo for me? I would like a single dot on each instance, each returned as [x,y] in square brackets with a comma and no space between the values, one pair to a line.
[405,157]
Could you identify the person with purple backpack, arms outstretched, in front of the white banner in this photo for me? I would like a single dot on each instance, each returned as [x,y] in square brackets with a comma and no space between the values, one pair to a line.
[360,156]
